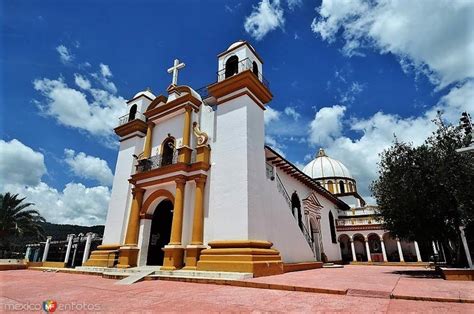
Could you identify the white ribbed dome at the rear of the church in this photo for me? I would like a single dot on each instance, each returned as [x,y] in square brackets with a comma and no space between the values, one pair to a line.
[325,167]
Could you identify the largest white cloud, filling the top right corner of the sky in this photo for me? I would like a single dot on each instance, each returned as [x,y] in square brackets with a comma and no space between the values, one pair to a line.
[431,37]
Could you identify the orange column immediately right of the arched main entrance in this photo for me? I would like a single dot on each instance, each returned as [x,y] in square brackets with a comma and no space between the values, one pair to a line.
[174,251]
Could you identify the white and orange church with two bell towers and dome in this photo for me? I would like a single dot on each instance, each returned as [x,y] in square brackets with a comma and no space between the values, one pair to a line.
[196,188]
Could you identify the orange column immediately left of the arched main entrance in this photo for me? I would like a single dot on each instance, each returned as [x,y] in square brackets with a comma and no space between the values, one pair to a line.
[128,254]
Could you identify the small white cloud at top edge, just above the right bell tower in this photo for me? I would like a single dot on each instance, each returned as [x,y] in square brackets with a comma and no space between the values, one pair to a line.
[265,17]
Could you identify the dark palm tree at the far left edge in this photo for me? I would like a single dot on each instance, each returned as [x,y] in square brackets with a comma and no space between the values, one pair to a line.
[17,221]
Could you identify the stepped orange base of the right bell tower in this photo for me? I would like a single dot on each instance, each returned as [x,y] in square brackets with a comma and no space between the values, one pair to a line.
[248,256]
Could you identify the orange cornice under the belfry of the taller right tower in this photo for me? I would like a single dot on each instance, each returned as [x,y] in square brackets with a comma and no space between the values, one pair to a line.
[245,79]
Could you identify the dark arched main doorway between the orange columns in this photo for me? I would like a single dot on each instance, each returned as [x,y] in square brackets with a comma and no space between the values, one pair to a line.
[160,232]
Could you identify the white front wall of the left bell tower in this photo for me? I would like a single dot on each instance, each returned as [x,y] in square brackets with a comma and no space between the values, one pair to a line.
[117,215]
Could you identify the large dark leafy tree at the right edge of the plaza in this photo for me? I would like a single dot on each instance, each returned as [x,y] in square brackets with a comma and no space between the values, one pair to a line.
[425,193]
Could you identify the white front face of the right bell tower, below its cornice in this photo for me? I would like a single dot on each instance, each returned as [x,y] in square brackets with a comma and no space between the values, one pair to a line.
[227,215]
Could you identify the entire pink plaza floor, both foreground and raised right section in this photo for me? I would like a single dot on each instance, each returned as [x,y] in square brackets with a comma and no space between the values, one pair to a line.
[367,289]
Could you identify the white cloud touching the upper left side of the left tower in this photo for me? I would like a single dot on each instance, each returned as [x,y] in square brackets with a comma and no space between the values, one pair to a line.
[71,107]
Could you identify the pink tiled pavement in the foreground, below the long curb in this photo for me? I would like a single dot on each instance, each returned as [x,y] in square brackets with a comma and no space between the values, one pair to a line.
[22,286]
